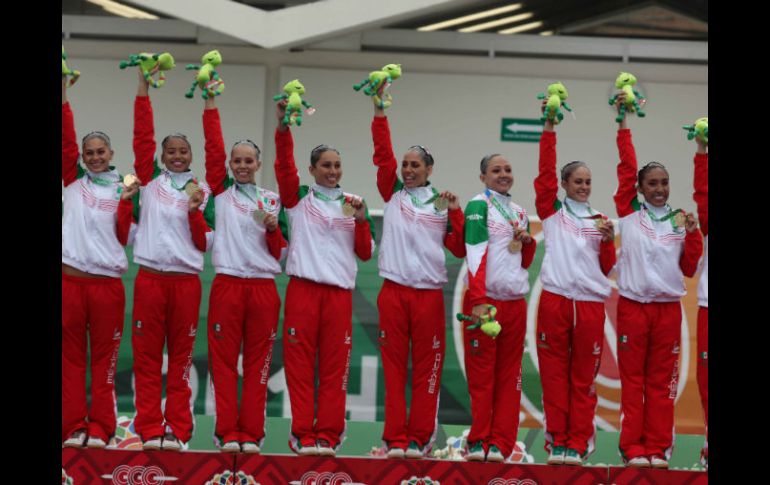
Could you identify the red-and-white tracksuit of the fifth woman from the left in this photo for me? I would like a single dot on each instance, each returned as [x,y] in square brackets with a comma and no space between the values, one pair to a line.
[411,301]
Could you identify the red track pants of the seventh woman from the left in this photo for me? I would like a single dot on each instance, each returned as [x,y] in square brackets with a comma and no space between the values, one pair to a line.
[570,336]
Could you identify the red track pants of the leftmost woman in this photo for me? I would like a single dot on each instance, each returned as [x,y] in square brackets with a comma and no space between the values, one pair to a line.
[92,309]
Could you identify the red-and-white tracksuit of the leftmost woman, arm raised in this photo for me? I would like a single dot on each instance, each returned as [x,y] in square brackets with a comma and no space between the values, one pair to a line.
[95,227]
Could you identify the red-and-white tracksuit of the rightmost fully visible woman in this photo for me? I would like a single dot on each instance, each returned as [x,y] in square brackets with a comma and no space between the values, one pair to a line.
[655,256]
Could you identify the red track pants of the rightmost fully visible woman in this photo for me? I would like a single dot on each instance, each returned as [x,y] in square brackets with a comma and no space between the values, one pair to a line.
[648,357]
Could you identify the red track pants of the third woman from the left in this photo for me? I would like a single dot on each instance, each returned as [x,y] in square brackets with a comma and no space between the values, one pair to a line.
[242,312]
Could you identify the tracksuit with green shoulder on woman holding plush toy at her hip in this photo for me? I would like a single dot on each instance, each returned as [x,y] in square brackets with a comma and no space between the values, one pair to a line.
[498,277]
